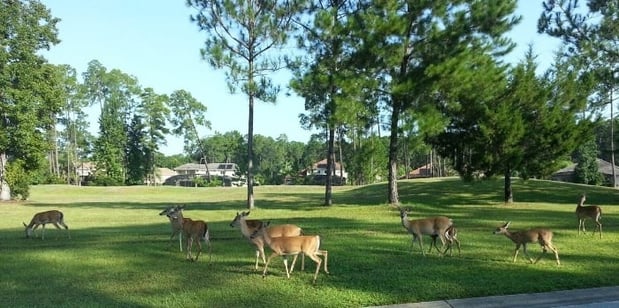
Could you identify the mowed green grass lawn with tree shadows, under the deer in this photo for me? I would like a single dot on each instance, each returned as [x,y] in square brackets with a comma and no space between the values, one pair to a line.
[120,253]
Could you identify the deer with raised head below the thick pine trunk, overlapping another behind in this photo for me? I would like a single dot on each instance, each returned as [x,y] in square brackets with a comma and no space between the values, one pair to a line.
[433,226]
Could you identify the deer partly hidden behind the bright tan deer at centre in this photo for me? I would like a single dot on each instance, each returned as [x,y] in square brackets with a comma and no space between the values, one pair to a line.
[249,226]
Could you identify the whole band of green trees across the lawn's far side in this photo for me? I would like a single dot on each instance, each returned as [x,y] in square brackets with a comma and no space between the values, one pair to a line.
[430,73]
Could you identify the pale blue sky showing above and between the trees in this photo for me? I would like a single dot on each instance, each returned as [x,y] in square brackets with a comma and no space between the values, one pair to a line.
[155,42]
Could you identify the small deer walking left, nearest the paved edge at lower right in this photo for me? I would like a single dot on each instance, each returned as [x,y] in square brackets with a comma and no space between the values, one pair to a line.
[521,238]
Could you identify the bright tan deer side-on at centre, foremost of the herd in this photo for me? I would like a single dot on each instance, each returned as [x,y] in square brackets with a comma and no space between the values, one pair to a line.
[293,245]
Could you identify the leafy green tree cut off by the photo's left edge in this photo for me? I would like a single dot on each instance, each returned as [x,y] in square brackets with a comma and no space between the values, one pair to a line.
[27,27]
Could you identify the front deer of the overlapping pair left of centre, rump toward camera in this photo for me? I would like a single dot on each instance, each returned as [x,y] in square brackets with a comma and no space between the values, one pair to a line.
[194,231]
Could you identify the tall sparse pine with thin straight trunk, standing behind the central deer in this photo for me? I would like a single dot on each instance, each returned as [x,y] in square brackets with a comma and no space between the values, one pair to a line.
[242,36]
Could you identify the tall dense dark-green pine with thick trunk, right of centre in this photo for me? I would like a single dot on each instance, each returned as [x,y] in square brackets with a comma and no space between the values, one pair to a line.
[403,40]
